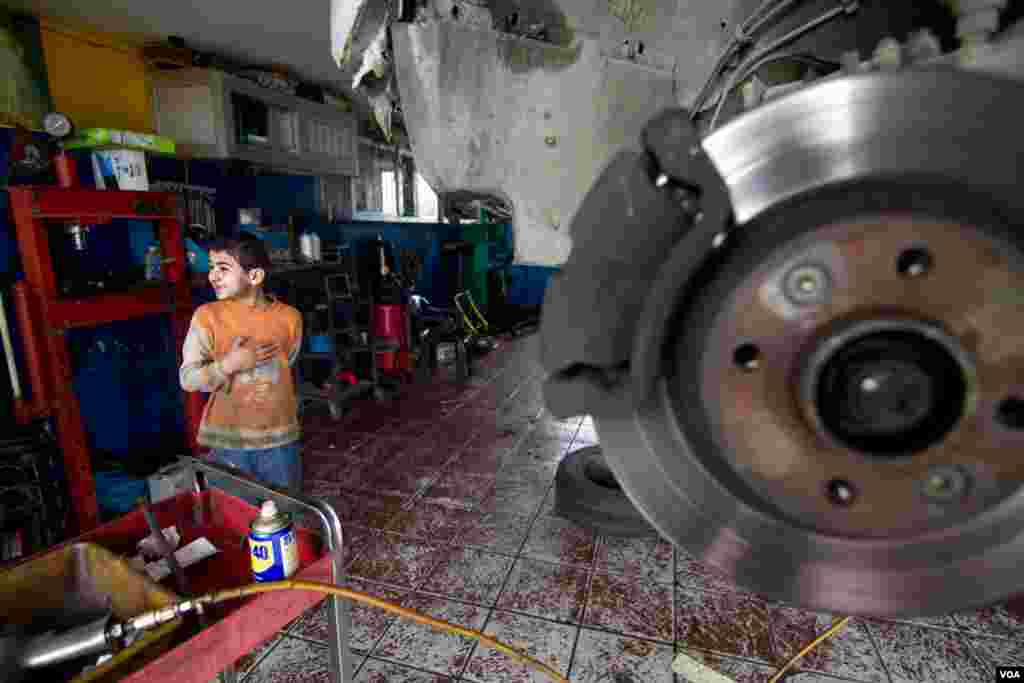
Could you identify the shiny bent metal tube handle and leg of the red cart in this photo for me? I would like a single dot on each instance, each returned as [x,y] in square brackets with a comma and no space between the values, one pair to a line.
[239,484]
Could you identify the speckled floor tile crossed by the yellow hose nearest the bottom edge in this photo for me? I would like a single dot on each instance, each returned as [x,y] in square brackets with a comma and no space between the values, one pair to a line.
[549,644]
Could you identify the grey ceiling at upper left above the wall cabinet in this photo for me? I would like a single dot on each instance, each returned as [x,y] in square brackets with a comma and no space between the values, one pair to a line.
[296,34]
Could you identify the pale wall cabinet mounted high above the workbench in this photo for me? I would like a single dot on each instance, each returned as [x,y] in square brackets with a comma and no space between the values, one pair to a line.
[210,114]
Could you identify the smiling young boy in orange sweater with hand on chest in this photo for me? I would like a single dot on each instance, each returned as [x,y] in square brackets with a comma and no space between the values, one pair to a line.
[241,350]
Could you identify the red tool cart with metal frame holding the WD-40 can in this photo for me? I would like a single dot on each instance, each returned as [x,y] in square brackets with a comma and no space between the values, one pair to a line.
[237,628]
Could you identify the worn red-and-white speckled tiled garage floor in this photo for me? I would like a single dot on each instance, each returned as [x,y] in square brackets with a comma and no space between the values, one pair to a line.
[446,498]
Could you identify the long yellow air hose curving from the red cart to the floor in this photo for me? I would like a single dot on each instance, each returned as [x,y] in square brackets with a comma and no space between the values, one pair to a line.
[298,585]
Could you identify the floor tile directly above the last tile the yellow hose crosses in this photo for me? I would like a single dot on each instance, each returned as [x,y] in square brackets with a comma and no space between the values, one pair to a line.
[556,592]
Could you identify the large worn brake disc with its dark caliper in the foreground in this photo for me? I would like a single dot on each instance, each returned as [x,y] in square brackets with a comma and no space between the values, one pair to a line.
[800,341]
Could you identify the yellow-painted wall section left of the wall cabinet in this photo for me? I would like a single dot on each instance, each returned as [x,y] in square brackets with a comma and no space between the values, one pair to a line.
[100,80]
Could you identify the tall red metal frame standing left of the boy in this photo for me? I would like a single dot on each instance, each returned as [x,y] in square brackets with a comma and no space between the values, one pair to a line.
[34,210]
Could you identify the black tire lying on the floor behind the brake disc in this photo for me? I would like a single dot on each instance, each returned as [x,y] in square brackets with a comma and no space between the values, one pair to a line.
[586,493]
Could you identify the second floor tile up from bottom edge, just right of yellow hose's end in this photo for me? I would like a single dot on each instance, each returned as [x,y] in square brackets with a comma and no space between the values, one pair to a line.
[630,607]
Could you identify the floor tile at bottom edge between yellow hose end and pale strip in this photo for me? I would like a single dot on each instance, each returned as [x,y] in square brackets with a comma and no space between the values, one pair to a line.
[608,658]
